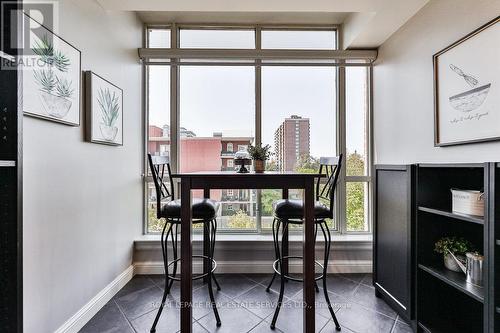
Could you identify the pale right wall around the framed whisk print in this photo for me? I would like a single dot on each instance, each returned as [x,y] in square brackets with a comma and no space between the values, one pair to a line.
[403,92]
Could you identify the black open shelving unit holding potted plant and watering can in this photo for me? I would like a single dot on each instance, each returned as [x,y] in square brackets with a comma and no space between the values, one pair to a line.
[444,301]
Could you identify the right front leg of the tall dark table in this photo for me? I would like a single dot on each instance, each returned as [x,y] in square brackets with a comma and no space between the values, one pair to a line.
[308,253]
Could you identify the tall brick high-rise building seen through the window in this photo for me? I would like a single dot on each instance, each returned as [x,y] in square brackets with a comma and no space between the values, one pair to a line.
[291,141]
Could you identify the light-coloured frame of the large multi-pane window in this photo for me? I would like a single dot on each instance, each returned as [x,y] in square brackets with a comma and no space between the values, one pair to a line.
[257,63]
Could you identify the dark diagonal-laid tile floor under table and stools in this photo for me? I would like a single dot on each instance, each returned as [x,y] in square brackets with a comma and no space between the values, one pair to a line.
[245,306]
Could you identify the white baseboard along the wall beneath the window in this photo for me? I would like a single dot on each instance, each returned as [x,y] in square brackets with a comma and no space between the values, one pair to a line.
[259,267]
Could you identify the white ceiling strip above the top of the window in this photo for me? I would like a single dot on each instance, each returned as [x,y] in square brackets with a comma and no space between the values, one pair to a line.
[367,23]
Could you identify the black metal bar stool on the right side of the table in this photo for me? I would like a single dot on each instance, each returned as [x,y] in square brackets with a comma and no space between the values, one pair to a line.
[288,211]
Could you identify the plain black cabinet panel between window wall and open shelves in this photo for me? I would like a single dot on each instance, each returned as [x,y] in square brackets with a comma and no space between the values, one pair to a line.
[393,244]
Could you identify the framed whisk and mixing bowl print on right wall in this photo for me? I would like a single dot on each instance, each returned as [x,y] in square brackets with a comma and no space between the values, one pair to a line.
[467,88]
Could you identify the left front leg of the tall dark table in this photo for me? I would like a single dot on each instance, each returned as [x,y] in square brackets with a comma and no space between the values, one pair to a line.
[186,259]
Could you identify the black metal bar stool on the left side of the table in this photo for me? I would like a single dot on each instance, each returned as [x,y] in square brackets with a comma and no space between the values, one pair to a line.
[204,212]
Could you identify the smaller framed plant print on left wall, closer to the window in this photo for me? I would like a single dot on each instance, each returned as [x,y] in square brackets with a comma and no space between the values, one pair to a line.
[104,110]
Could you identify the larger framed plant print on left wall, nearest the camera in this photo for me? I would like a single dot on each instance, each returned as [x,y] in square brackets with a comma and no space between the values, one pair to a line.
[51,77]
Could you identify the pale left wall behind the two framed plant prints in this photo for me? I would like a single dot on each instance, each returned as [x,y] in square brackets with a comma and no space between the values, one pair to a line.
[82,201]
